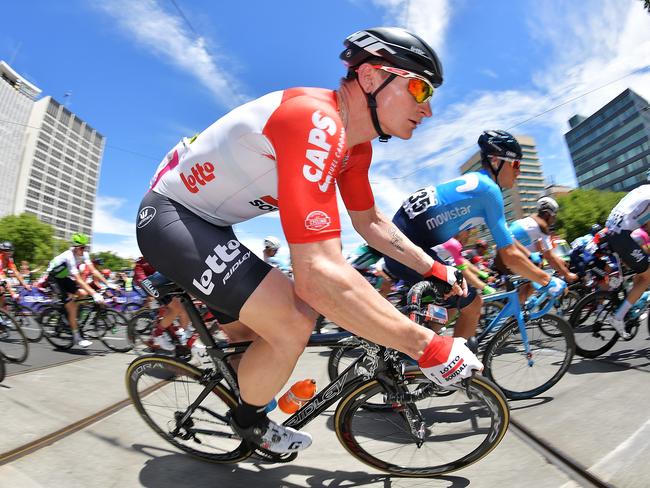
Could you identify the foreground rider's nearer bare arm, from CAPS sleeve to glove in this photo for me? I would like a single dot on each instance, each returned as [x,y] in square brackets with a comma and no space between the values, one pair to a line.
[334,288]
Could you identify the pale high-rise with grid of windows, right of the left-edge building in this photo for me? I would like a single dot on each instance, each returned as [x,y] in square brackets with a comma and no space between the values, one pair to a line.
[60,169]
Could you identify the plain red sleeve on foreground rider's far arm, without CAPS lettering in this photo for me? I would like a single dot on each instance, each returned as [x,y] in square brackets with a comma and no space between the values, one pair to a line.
[353,180]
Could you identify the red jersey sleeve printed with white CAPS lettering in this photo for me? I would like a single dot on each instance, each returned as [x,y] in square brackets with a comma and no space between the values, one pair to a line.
[309,141]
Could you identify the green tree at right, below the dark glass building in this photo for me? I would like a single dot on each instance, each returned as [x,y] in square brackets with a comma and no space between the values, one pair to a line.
[580,209]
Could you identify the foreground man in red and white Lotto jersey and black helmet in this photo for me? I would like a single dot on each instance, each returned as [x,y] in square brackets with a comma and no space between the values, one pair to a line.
[288,151]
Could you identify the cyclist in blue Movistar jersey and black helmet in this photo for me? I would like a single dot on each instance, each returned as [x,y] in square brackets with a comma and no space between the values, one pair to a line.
[433,215]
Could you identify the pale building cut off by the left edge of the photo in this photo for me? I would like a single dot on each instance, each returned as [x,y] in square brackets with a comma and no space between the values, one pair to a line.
[17,97]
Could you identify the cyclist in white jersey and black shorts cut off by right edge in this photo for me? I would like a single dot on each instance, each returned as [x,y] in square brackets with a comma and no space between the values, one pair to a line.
[631,213]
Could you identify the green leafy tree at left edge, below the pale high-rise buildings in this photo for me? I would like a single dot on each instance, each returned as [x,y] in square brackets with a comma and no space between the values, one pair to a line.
[33,240]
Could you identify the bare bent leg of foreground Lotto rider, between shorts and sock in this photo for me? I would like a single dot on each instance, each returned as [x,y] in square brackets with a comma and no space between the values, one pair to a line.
[283,323]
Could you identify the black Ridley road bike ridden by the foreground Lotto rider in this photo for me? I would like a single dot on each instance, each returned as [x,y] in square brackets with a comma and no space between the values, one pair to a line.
[391,418]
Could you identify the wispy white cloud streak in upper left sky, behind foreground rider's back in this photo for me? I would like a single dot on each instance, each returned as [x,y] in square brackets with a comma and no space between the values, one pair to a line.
[165,36]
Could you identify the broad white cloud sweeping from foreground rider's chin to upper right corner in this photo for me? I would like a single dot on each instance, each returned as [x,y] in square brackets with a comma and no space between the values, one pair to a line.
[582,55]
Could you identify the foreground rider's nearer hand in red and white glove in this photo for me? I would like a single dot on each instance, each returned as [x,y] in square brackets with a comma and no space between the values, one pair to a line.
[448,360]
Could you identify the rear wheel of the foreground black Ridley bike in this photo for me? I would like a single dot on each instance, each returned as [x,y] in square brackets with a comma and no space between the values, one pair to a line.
[162,388]
